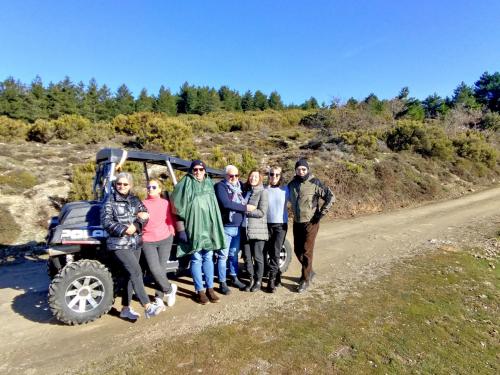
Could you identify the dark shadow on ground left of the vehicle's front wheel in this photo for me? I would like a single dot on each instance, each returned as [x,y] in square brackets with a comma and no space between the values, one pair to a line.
[27,274]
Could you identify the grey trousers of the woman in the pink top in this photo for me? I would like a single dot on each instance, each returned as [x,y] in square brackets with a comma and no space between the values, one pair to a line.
[157,254]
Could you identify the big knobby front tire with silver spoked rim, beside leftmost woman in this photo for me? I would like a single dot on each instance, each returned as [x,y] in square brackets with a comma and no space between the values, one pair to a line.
[81,292]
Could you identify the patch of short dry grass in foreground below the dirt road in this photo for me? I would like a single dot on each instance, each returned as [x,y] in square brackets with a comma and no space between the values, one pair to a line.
[437,314]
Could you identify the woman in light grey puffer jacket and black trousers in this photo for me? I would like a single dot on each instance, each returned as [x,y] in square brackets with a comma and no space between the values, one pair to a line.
[254,230]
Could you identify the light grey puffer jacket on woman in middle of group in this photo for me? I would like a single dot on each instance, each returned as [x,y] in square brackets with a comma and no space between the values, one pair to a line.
[257,219]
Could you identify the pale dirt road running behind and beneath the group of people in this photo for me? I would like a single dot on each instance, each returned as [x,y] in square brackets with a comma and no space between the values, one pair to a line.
[347,251]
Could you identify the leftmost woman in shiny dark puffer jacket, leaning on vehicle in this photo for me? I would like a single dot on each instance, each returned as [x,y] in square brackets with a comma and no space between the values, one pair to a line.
[123,216]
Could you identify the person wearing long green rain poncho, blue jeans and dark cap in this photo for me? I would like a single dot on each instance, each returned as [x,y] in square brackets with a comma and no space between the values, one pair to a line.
[199,226]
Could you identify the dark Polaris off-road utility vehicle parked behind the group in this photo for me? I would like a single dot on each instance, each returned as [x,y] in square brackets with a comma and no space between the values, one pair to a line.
[84,274]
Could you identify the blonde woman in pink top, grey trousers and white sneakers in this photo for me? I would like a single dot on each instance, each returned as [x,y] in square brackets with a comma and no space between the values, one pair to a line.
[157,239]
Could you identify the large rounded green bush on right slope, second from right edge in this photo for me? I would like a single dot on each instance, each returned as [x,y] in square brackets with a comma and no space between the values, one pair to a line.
[426,140]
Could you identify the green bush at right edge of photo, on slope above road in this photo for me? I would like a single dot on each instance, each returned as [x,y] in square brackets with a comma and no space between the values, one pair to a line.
[473,146]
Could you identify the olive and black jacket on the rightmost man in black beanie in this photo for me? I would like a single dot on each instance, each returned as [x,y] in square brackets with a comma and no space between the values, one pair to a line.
[305,196]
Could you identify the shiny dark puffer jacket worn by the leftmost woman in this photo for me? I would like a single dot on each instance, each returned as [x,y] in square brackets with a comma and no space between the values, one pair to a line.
[117,213]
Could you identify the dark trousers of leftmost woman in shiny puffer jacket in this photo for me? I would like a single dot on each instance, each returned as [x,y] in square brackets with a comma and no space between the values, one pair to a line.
[130,262]
